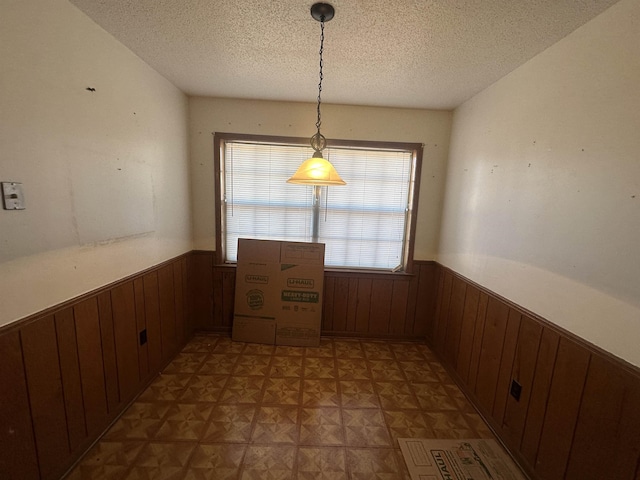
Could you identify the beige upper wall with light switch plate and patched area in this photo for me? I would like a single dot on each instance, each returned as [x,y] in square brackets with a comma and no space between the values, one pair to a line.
[105,173]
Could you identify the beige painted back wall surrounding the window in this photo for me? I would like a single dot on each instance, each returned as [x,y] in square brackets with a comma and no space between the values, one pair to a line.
[209,115]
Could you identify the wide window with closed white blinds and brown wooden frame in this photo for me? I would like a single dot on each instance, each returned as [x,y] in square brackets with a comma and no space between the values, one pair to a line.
[367,224]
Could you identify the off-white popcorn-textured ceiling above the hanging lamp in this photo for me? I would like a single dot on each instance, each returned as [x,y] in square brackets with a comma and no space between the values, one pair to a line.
[399,53]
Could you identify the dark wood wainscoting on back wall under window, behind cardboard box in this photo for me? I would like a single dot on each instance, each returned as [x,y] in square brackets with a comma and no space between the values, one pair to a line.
[355,303]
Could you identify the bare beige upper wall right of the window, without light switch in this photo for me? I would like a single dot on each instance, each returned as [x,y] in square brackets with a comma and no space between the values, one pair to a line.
[543,187]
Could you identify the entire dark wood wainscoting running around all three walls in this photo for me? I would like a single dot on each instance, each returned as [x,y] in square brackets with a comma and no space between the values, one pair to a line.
[67,373]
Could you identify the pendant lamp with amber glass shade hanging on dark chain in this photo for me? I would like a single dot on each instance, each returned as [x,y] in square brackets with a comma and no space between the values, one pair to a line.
[316,170]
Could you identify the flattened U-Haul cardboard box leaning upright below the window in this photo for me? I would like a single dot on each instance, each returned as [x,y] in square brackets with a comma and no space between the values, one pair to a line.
[279,288]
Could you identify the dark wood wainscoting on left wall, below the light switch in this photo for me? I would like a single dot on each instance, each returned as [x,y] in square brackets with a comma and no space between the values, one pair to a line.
[68,372]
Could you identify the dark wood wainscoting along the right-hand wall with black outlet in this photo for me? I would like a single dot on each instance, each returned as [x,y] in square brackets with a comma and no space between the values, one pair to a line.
[578,416]
